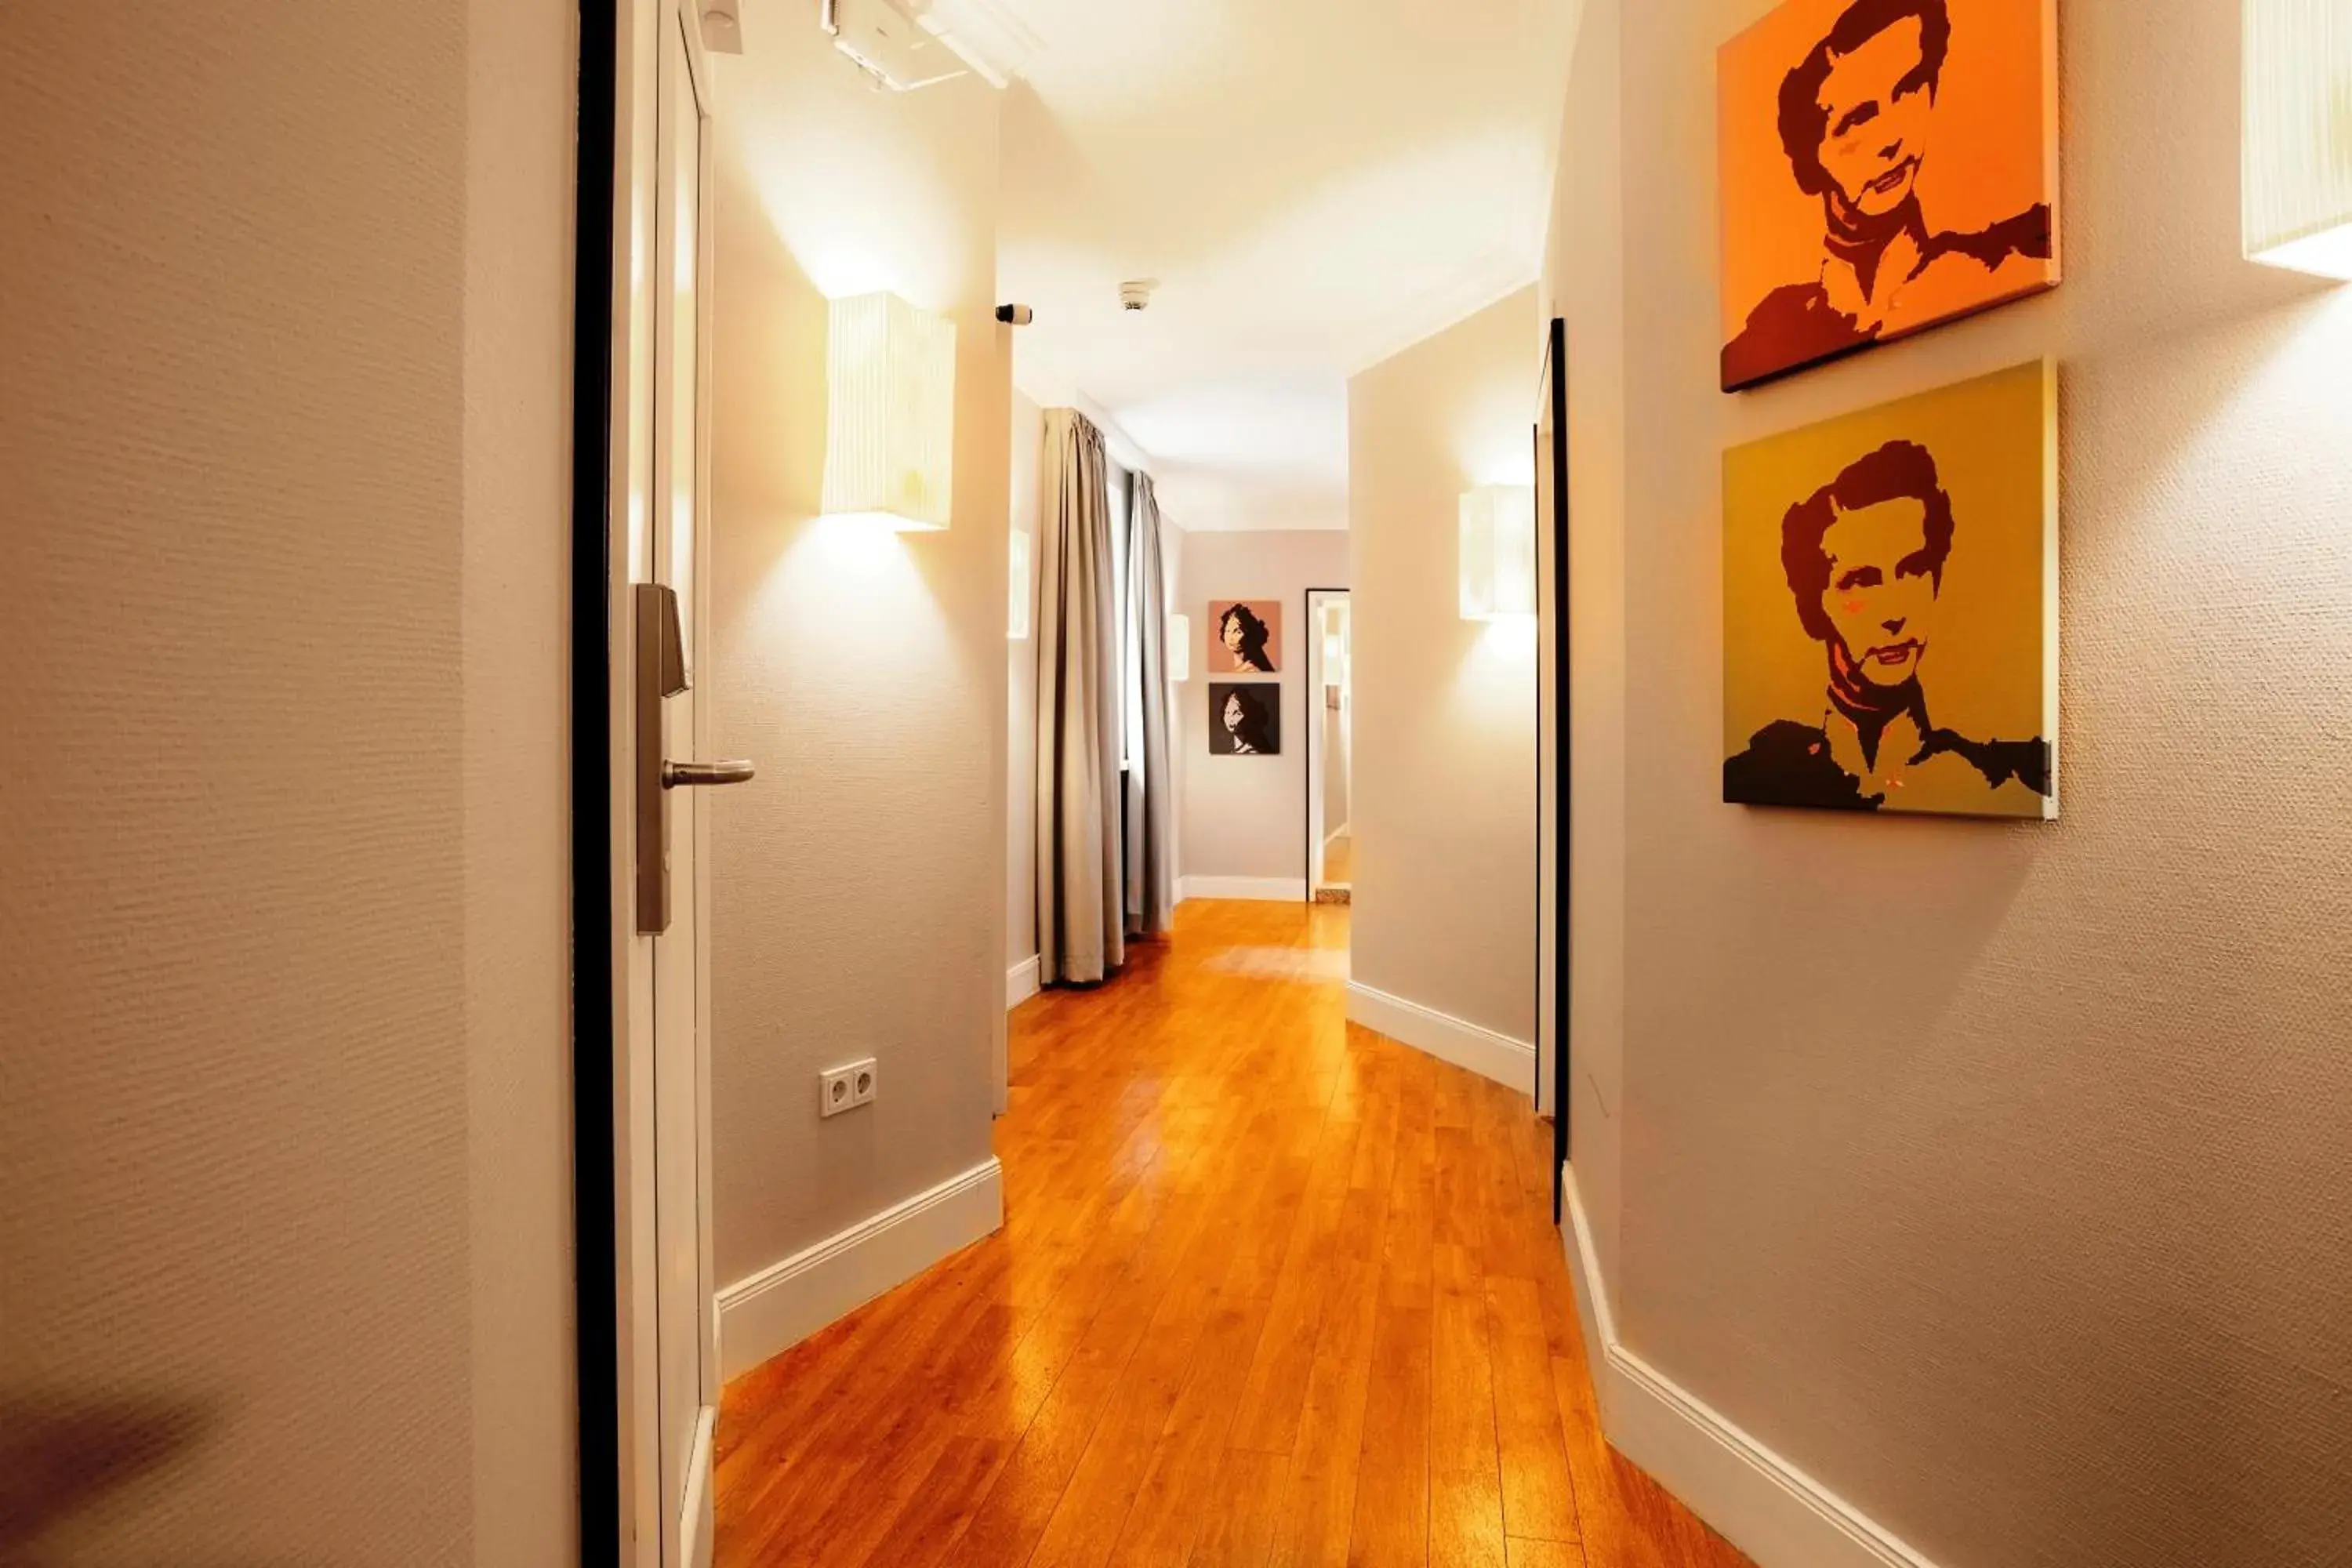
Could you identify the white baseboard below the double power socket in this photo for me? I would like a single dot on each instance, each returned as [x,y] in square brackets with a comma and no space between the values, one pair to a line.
[789,1301]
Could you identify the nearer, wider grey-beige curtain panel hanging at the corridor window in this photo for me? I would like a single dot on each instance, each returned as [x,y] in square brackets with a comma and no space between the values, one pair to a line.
[1081,930]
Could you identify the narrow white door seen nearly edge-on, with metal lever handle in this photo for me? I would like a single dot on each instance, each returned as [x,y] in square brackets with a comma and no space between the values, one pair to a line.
[683,1285]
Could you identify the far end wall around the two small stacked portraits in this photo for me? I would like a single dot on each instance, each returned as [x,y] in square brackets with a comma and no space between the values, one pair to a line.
[1248,817]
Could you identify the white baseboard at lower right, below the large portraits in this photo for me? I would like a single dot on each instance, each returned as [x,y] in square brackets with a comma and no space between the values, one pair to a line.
[1758,1501]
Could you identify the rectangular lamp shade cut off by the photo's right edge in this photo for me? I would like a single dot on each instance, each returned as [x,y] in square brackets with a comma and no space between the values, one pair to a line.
[2299,135]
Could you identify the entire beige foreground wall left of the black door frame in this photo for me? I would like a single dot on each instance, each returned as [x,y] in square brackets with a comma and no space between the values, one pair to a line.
[283,934]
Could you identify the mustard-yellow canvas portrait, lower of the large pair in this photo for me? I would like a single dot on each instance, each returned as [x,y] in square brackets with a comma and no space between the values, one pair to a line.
[1892,608]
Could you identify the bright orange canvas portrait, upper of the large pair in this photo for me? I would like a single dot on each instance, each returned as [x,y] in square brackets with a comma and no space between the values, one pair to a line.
[1887,166]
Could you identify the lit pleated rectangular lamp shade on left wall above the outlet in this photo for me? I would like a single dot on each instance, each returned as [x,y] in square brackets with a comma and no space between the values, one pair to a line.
[890,413]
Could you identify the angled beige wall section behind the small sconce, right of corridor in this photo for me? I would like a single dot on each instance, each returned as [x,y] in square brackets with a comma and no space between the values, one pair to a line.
[1445,709]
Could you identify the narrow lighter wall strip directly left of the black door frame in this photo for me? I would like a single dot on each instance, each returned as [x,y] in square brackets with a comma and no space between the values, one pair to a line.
[521,100]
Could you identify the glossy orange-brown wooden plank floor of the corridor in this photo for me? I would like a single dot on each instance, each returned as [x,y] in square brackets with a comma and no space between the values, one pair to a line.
[1271,1292]
